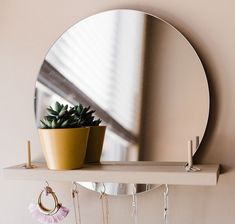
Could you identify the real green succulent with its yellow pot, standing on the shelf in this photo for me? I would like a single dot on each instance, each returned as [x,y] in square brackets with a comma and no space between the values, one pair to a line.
[63,138]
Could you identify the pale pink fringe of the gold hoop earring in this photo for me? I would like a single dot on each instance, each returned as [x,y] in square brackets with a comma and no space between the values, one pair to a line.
[47,219]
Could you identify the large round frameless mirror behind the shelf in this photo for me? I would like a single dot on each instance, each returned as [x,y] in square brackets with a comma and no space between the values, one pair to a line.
[143,79]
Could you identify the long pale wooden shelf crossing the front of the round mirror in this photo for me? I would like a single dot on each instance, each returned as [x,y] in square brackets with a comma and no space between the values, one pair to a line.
[121,172]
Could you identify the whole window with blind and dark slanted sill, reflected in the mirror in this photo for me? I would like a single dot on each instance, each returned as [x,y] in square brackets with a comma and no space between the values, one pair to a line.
[105,65]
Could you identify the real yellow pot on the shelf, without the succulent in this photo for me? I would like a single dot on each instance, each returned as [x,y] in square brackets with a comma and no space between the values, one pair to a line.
[64,149]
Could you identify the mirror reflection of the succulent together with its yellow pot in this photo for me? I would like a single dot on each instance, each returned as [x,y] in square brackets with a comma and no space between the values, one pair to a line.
[96,134]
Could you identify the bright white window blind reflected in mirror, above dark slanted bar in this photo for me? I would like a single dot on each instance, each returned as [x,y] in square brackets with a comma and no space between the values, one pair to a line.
[102,57]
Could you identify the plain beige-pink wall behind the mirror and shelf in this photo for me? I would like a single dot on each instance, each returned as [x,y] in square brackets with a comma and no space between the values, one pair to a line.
[28,29]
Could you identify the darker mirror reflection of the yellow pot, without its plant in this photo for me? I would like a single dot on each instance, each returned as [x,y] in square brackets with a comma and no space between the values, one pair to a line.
[95,144]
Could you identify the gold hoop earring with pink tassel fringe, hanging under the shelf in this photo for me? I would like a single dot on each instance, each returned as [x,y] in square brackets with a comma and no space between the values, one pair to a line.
[45,215]
